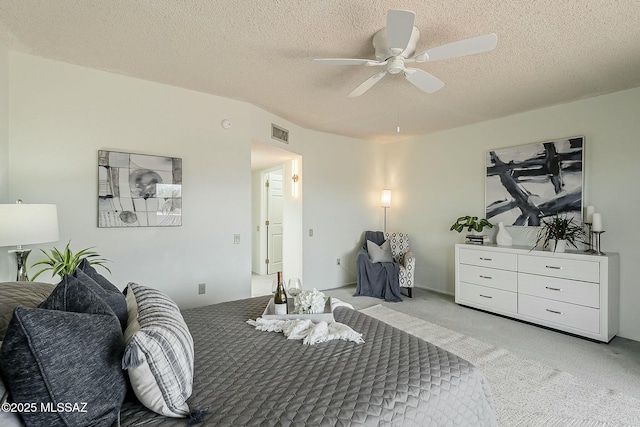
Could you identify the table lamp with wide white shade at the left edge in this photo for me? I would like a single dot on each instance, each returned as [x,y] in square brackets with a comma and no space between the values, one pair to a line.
[27,224]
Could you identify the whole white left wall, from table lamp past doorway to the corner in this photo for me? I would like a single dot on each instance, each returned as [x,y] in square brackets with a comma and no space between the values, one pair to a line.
[61,115]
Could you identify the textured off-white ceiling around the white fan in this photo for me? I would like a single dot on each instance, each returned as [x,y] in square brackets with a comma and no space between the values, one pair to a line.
[260,51]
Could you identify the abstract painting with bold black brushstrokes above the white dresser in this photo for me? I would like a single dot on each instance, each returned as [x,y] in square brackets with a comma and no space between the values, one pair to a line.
[528,183]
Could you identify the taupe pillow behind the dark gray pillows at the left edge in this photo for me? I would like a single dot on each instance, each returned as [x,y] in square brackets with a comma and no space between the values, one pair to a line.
[14,294]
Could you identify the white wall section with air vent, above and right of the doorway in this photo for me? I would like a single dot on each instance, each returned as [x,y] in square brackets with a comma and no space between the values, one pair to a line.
[341,180]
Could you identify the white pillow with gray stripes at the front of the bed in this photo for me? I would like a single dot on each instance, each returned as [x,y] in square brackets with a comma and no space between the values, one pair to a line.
[159,351]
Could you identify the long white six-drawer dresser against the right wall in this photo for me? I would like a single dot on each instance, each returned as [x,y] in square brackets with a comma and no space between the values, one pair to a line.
[572,291]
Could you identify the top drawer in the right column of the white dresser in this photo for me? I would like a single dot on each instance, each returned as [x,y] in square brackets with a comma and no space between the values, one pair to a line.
[588,271]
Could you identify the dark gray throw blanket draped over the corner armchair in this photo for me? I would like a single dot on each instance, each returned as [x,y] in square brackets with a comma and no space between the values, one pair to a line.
[380,279]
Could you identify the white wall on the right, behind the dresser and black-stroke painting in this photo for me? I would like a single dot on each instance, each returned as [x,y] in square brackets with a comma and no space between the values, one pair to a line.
[436,178]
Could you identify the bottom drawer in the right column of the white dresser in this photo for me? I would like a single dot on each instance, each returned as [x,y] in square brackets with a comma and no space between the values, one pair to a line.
[561,313]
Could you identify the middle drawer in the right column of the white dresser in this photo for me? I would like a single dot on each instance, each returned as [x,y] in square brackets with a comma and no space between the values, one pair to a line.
[571,291]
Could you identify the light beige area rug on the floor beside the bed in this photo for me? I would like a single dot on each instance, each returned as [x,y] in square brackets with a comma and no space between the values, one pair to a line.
[525,392]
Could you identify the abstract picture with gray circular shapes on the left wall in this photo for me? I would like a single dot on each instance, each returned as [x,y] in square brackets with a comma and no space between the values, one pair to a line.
[138,190]
